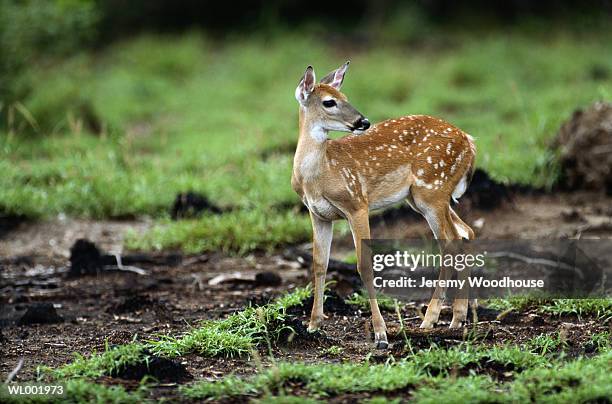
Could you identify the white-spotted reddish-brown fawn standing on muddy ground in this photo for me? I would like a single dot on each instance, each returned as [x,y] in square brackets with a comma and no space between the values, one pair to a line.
[415,158]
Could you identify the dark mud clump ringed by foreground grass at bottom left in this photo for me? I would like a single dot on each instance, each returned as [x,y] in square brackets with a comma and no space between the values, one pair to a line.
[162,369]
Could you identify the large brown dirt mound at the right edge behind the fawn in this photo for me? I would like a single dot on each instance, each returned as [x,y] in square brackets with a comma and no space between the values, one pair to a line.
[584,145]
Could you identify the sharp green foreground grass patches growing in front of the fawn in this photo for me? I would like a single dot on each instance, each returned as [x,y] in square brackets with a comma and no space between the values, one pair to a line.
[535,371]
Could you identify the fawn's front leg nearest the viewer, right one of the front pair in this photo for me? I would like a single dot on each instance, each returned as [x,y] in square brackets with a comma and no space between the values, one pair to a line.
[360,226]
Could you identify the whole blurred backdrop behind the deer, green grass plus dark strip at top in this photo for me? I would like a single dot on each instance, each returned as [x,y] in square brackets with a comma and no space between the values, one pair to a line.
[108,110]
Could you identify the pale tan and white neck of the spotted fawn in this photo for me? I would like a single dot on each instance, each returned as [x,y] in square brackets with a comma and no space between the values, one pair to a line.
[310,156]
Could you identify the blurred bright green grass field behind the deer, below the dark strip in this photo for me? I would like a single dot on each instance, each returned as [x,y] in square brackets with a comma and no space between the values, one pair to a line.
[185,113]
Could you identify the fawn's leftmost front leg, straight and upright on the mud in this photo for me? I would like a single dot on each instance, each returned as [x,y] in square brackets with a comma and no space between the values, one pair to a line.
[322,233]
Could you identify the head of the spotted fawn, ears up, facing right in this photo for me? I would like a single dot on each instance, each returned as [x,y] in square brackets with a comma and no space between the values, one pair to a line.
[325,107]
